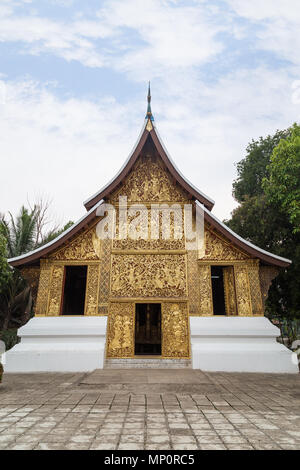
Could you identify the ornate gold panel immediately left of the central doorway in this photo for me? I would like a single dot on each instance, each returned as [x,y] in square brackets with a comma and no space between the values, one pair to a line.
[120,333]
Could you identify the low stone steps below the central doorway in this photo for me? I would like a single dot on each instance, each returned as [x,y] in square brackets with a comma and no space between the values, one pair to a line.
[147,363]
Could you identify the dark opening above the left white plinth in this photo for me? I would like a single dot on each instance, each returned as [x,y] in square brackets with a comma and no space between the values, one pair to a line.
[74,290]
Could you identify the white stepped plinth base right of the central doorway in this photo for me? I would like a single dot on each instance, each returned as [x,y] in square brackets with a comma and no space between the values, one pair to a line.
[239,344]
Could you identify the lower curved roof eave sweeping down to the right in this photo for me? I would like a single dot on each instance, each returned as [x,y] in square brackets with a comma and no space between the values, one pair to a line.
[264,255]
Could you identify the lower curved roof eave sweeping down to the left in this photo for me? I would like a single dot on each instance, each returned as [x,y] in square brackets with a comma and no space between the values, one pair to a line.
[53,244]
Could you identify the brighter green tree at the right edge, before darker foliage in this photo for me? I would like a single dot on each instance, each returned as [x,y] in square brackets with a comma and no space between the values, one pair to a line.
[282,182]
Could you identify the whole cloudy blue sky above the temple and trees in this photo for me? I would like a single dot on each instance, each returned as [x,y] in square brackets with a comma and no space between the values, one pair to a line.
[73,84]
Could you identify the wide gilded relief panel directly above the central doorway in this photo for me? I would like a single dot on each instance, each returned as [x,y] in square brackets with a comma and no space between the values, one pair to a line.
[148,275]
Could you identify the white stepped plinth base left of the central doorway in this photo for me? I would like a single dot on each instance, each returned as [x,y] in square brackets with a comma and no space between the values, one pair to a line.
[59,344]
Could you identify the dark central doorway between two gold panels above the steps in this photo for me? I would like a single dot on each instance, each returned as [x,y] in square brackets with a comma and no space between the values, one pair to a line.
[148,329]
